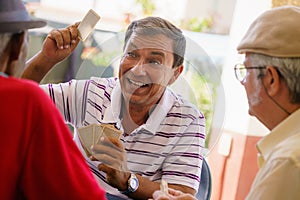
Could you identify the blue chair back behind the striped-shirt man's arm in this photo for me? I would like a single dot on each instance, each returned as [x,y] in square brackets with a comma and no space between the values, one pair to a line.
[204,190]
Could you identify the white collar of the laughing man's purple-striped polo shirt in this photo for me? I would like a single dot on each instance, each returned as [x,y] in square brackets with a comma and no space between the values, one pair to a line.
[112,112]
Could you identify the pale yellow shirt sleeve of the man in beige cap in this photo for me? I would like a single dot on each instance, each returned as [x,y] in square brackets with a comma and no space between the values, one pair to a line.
[277,180]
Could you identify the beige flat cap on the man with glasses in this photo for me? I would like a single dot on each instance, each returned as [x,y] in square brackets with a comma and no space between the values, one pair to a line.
[276,33]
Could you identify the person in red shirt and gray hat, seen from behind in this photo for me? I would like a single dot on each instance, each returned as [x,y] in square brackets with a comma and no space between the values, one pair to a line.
[39,159]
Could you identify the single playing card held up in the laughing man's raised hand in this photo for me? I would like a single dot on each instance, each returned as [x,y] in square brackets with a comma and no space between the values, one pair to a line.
[88,23]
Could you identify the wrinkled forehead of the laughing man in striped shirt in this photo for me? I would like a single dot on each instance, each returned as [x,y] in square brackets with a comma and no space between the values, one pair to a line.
[158,42]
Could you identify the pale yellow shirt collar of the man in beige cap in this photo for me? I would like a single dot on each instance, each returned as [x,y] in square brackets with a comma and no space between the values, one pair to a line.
[285,129]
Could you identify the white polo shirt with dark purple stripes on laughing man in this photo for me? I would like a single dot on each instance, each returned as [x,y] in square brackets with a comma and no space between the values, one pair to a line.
[168,146]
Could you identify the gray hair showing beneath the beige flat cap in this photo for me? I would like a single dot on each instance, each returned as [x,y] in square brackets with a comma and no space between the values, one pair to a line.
[288,68]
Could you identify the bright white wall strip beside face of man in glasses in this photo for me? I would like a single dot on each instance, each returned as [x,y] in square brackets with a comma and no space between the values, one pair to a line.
[236,116]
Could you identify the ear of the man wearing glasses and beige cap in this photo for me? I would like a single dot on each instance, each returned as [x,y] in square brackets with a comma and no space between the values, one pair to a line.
[272,80]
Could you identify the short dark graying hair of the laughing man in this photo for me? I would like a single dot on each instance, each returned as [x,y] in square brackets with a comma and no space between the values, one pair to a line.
[151,26]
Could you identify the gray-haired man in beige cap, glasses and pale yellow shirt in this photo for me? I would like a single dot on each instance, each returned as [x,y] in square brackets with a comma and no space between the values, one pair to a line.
[270,75]
